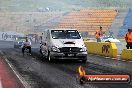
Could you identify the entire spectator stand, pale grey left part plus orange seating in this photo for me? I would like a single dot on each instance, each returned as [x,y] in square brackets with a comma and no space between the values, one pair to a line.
[84,20]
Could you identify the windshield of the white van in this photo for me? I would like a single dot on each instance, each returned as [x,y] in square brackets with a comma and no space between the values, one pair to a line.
[65,34]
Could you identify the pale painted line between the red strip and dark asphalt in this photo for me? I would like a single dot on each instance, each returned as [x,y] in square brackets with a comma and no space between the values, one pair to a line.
[24,83]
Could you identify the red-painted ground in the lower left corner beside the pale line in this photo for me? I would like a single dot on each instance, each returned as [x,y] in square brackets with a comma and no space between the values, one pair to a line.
[8,78]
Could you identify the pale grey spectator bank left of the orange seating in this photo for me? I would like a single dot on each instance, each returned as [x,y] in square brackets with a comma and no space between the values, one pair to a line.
[25,22]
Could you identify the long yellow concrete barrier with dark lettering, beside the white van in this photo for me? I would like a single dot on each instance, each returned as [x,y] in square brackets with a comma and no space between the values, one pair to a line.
[102,48]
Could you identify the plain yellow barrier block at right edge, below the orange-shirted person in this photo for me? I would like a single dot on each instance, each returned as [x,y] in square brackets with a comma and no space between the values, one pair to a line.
[126,54]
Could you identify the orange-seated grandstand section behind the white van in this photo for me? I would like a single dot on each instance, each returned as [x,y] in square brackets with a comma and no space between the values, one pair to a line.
[88,20]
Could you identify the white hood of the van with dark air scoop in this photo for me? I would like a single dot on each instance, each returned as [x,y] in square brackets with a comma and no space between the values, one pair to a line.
[68,43]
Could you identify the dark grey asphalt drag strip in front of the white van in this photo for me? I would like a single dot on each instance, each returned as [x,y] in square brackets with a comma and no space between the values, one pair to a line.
[58,74]
